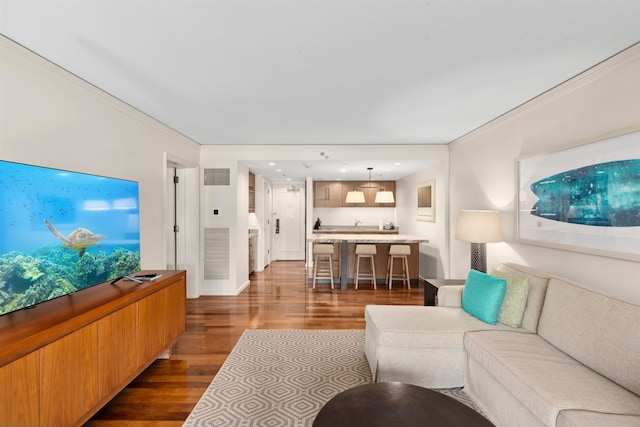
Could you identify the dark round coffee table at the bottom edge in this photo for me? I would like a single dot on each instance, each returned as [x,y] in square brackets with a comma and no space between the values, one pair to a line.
[396,404]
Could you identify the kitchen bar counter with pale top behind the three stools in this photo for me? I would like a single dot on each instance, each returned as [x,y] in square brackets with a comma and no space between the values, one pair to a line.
[345,247]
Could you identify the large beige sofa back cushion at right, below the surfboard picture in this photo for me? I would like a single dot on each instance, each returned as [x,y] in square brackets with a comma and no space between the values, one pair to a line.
[597,330]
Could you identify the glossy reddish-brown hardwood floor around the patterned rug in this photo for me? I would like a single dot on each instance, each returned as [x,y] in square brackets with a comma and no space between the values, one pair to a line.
[278,298]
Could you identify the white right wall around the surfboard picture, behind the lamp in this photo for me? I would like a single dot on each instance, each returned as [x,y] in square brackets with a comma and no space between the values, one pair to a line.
[602,100]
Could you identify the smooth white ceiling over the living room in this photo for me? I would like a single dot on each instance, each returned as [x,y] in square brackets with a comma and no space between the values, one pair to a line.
[326,72]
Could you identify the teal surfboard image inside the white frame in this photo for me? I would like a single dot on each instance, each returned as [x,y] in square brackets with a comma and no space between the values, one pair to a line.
[603,195]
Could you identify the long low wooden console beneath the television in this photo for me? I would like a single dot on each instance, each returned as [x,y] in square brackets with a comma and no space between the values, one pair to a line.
[63,360]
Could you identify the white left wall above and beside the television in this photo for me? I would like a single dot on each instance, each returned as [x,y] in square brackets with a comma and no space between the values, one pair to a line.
[52,118]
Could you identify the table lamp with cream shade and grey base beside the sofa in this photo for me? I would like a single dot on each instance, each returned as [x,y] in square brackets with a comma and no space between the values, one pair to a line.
[479,228]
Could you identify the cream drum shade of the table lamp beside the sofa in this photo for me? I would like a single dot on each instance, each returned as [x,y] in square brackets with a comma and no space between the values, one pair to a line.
[479,226]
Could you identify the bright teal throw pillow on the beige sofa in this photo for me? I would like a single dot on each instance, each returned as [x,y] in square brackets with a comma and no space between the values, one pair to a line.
[483,295]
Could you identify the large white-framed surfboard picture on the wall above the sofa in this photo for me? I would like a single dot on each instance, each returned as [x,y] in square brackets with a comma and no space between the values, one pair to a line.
[584,198]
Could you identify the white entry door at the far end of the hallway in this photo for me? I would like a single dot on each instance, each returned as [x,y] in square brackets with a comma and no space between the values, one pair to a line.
[288,222]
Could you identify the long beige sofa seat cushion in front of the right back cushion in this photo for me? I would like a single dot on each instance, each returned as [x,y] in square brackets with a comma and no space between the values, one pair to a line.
[545,379]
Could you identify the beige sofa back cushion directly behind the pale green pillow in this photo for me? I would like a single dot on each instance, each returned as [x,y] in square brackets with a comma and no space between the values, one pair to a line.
[538,282]
